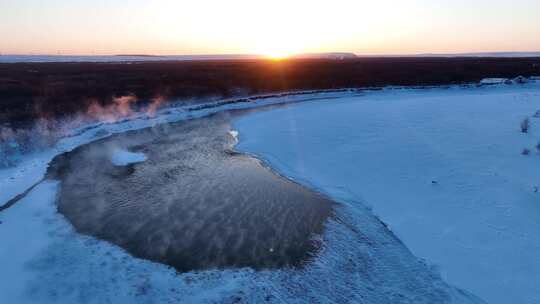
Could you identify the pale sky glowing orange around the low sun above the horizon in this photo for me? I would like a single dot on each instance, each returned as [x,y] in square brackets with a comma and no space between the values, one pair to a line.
[273,28]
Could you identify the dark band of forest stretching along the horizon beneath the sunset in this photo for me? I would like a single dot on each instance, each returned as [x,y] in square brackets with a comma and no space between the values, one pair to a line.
[54,90]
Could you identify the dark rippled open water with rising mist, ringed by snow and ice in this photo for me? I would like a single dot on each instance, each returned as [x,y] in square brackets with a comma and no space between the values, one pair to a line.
[193,203]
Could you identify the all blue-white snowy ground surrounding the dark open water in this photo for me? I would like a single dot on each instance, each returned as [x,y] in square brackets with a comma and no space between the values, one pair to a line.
[442,167]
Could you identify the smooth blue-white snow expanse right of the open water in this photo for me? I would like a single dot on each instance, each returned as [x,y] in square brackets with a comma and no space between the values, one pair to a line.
[442,167]
